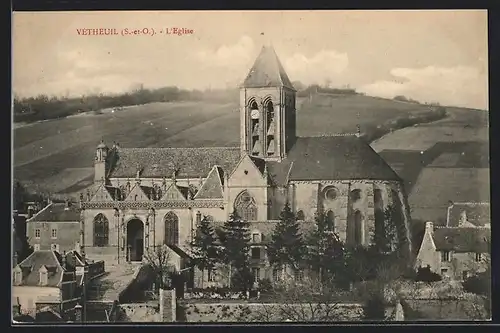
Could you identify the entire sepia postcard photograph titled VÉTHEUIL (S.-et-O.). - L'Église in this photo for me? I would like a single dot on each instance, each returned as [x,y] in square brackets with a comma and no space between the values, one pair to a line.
[250,167]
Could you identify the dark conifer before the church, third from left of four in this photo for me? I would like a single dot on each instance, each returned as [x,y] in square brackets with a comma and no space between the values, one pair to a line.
[286,246]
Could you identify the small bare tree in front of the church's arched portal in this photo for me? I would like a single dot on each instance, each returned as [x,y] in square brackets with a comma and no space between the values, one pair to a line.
[158,257]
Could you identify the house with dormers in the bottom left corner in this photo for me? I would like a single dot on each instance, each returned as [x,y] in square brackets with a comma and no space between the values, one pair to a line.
[45,279]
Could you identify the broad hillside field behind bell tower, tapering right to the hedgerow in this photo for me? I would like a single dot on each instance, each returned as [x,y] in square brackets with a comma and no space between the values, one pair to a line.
[48,151]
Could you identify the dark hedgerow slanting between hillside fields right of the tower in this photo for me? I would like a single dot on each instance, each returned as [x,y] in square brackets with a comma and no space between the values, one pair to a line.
[373,132]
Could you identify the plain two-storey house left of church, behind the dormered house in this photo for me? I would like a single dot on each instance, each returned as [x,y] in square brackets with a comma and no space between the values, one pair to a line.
[56,227]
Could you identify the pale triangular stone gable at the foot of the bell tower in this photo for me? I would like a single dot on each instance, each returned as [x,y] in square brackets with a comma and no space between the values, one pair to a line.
[248,173]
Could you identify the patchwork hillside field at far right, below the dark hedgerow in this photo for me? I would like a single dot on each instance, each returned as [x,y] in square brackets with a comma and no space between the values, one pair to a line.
[447,160]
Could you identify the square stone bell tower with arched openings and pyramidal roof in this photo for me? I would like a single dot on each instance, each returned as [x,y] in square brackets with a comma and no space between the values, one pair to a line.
[267,109]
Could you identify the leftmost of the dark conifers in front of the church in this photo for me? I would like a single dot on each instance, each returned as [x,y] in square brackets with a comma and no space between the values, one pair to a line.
[204,247]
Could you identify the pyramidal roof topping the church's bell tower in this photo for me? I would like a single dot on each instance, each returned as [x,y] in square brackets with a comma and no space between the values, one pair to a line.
[267,71]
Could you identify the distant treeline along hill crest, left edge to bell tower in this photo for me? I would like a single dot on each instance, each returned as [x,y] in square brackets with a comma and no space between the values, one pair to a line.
[43,107]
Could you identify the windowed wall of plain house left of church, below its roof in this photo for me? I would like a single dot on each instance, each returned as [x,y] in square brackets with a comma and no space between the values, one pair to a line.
[68,233]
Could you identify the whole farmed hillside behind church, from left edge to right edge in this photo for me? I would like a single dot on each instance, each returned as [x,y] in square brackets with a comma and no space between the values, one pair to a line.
[439,161]
